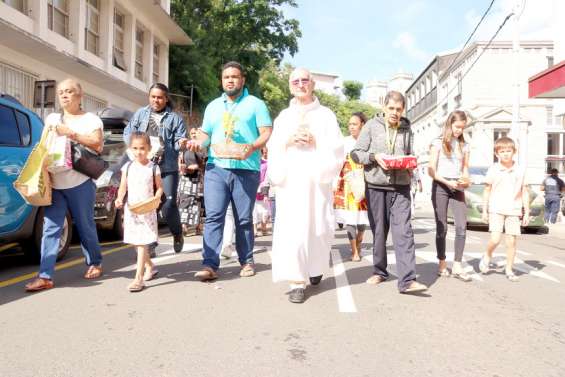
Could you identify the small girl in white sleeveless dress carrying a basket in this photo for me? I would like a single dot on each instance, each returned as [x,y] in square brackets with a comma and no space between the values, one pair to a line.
[139,178]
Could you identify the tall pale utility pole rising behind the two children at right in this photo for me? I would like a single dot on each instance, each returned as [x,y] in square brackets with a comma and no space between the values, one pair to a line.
[519,131]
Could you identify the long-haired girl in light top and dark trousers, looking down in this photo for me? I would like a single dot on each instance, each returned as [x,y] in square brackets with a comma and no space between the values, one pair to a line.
[449,168]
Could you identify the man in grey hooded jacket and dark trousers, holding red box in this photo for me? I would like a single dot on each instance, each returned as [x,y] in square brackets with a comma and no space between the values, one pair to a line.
[388,192]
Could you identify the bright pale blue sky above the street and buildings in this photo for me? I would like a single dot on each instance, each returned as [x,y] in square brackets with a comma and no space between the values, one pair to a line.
[374,39]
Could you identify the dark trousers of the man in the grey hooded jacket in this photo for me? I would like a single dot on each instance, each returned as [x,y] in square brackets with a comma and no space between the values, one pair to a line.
[391,210]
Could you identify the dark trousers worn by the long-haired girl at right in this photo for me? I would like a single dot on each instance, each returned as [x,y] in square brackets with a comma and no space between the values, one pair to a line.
[442,198]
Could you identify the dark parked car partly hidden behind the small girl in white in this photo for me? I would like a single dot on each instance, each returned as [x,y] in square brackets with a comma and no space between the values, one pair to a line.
[106,215]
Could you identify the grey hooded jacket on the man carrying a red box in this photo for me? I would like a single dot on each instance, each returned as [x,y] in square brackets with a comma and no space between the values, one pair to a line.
[372,141]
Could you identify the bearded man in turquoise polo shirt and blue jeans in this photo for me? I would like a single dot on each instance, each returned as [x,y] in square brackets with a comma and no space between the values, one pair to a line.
[236,117]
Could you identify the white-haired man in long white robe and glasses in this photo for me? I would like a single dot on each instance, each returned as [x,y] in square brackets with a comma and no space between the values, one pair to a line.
[305,156]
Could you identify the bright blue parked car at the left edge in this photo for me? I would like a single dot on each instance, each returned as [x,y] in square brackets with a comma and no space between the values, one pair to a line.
[20,131]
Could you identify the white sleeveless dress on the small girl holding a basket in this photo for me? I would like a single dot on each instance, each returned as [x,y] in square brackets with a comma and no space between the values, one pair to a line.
[139,229]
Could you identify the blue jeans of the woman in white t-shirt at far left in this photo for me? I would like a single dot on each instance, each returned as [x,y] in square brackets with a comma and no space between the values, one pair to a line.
[79,201]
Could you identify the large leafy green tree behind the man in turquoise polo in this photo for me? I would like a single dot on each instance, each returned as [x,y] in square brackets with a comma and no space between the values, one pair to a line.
[252,32]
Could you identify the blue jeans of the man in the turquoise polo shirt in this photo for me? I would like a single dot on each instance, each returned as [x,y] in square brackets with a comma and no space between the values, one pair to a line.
[222,186]
